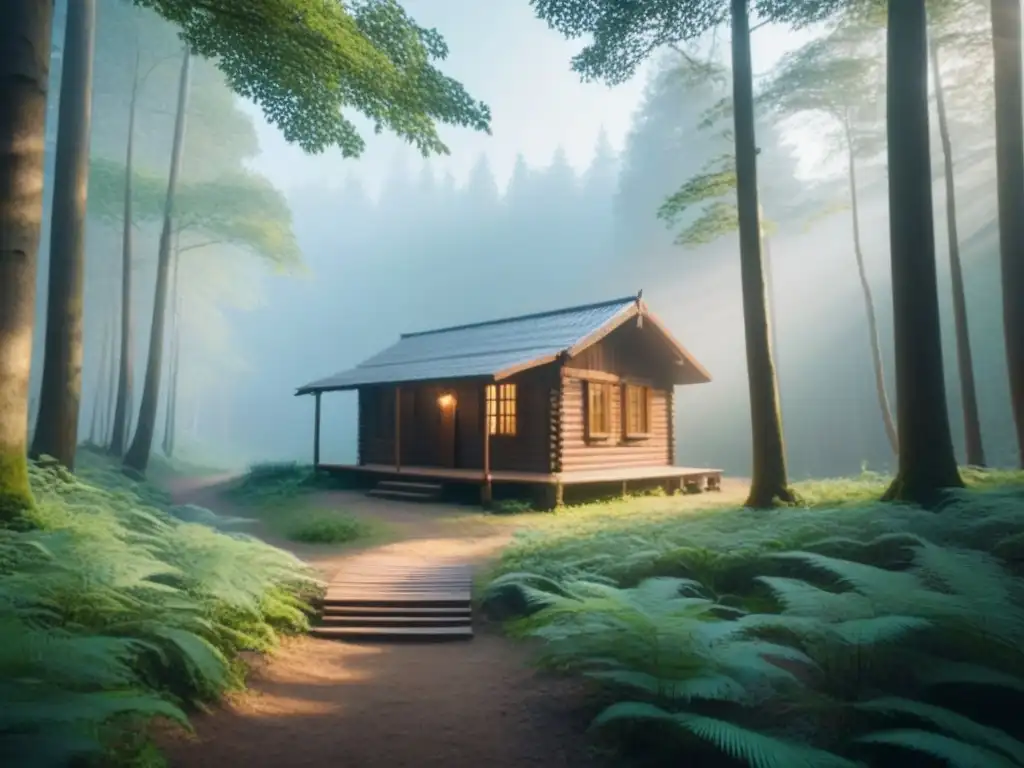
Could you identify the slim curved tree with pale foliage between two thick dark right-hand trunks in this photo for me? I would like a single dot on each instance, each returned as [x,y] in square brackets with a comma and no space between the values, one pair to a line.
[836,76]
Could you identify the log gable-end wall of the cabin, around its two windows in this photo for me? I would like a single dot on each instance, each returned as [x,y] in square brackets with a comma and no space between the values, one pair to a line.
[627,355]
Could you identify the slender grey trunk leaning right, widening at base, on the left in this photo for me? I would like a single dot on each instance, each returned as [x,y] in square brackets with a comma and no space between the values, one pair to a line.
[138,457]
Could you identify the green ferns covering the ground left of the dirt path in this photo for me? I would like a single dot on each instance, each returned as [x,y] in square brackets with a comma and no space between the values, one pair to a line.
[113,613]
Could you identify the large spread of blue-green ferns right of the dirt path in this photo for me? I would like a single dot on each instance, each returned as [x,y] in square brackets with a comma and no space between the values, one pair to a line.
[844,635]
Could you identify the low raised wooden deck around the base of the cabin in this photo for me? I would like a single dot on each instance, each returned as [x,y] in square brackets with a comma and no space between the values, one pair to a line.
[711,477]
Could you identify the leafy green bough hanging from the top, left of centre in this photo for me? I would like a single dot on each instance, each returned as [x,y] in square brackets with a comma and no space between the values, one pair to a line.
[305,62]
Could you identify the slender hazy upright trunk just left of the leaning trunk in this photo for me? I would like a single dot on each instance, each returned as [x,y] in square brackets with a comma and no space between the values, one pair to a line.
[120,438]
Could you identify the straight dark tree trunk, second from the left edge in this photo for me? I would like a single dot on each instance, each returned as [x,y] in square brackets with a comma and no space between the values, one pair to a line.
[61,394]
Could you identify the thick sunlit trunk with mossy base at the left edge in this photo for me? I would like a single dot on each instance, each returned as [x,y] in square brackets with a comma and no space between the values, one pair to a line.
[25,69]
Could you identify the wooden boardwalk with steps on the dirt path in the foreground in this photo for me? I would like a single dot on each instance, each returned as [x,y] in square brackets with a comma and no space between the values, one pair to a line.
[380,598]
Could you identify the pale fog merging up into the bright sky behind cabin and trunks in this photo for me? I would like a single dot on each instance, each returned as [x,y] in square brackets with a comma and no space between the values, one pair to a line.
[558,208]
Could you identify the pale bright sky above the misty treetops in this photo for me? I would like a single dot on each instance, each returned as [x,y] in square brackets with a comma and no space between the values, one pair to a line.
[510,60]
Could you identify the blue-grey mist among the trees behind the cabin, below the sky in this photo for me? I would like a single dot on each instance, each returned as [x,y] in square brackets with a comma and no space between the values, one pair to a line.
[440,251]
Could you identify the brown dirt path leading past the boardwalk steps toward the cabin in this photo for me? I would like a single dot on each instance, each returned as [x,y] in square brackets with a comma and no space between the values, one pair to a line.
[321,703]
